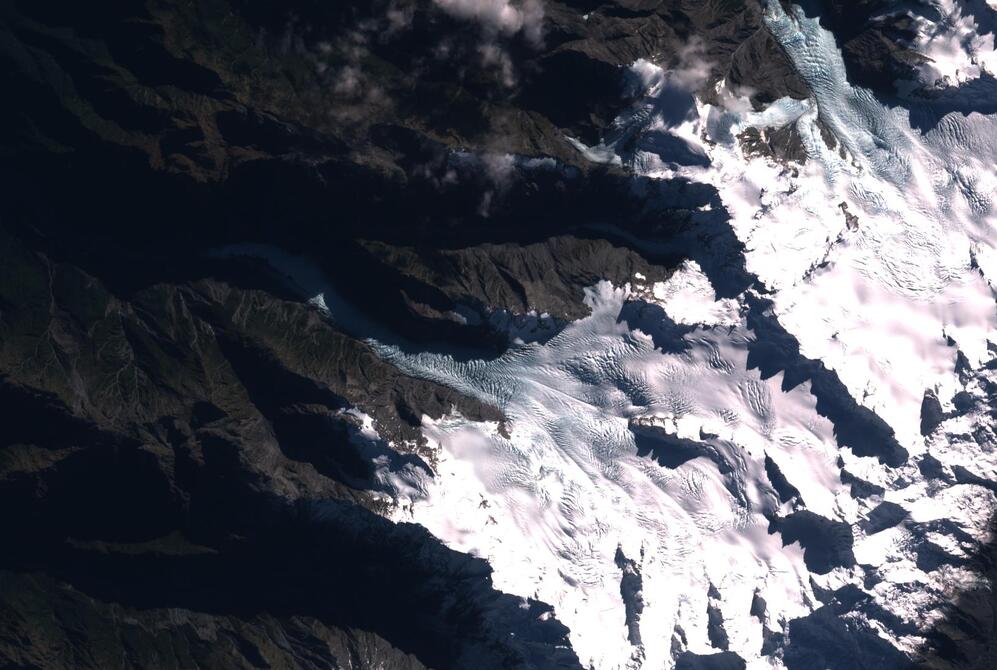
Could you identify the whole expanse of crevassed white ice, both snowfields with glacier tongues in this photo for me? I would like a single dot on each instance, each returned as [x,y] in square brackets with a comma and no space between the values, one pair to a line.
[564,501]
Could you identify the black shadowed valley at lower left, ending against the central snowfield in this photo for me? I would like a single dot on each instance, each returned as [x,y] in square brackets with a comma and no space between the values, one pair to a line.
[328,562]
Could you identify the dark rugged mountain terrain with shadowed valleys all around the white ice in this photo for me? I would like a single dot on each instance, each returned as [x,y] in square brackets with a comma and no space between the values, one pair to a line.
[197,461]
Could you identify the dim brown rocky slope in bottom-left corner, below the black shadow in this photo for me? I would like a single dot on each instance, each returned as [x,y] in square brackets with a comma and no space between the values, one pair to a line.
[94,633]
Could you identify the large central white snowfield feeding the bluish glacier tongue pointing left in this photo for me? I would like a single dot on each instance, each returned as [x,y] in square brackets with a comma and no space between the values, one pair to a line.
[549,505]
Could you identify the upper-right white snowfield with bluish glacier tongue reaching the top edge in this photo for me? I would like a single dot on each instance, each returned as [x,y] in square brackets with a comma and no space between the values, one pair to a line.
[878,304]
